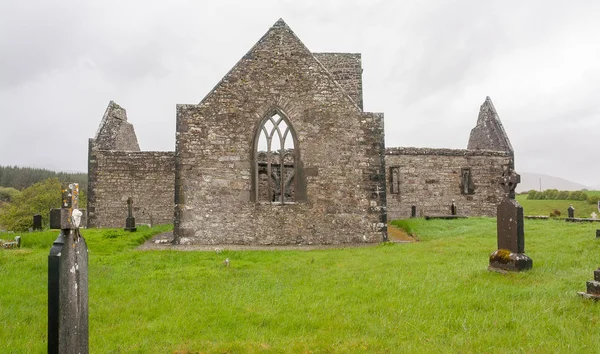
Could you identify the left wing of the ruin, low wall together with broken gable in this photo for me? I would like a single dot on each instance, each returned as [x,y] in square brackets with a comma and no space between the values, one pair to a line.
[117,170]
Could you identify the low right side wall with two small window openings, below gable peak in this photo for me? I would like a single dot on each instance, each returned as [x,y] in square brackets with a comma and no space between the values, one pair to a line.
[431,178]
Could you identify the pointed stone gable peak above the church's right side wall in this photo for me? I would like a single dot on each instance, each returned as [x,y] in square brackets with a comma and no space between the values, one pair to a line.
[489,133]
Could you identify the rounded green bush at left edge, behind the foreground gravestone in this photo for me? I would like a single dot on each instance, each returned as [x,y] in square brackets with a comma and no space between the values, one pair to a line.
[37,199]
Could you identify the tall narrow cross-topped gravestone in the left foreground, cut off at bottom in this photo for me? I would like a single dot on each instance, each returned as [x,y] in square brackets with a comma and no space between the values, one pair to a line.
[68,279]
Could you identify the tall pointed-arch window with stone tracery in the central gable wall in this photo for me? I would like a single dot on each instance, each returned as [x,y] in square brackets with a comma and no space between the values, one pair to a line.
[275,161]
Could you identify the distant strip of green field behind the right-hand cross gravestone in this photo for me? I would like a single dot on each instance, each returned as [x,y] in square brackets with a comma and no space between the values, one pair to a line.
[583,209]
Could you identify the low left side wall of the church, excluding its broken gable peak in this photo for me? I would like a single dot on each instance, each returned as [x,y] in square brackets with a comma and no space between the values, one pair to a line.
[113,176]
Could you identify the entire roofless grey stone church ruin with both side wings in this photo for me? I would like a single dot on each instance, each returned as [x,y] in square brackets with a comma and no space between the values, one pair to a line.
[281,152]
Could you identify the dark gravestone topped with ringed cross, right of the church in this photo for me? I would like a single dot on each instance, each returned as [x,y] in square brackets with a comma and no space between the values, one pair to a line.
[510,255]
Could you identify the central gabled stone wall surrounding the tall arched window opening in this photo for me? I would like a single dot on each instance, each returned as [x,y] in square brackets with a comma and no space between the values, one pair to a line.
[340,155]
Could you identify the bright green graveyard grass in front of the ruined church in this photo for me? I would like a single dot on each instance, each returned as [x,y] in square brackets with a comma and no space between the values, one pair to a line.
[435,295]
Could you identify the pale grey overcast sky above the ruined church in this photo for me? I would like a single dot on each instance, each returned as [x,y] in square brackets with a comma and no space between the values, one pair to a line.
[428,65]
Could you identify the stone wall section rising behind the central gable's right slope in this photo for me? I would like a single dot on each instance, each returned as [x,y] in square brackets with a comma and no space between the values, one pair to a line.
[346,69]
